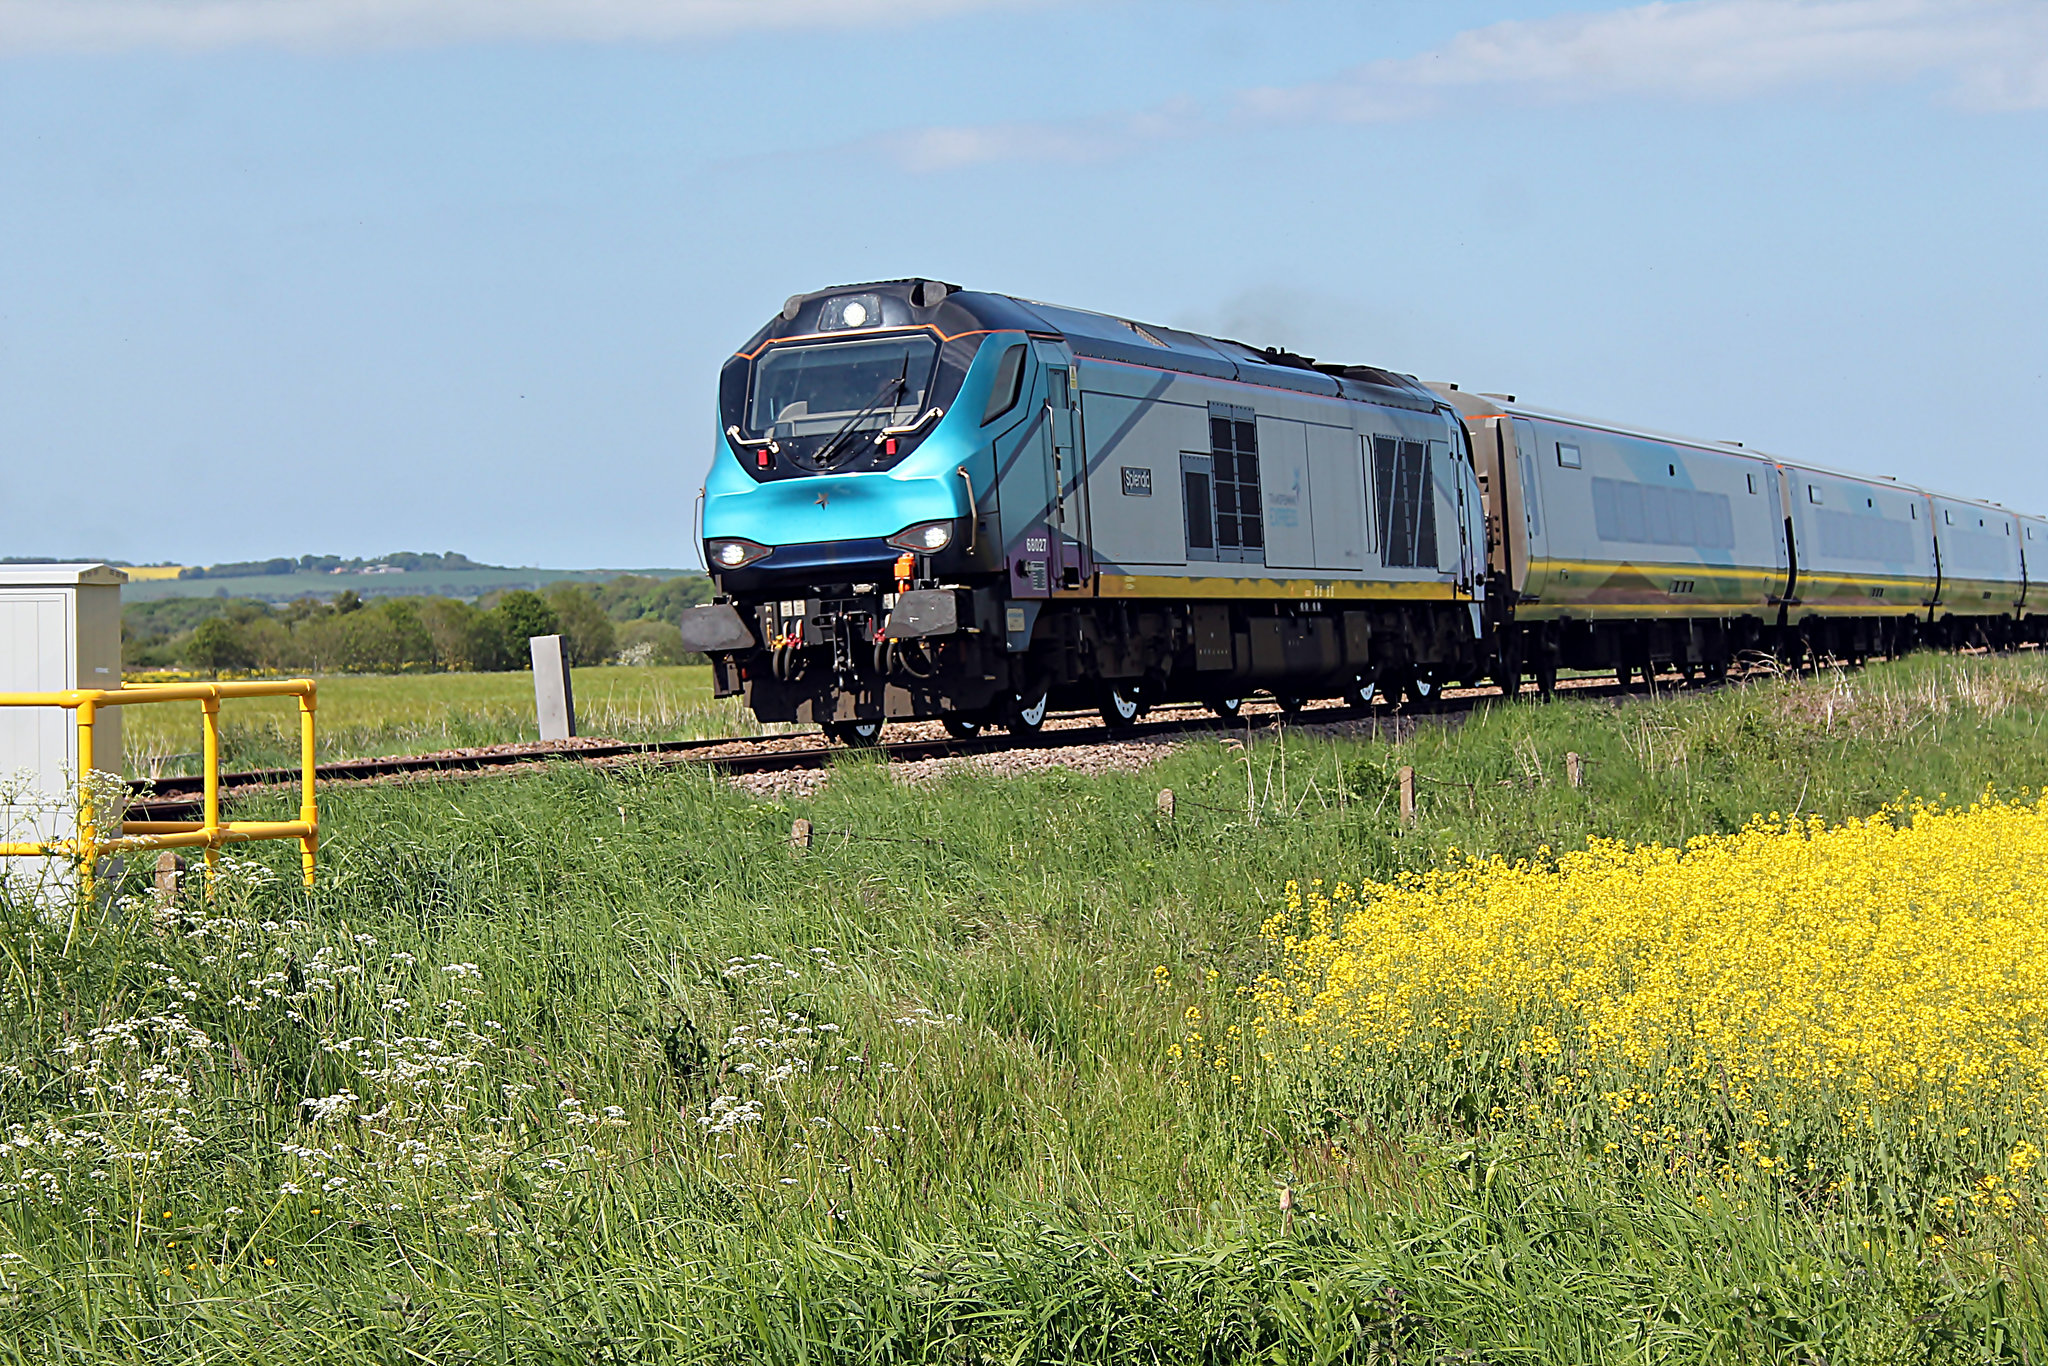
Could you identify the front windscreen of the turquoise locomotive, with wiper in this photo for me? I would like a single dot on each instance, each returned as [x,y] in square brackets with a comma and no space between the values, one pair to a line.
[816,390]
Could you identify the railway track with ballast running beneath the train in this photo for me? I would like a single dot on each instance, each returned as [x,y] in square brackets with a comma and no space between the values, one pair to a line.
[179,798]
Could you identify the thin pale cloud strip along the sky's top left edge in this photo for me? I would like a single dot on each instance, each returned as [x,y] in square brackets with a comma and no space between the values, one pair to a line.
[112,26]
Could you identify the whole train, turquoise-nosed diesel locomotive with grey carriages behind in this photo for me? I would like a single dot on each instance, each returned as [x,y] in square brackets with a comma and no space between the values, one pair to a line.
[947,505]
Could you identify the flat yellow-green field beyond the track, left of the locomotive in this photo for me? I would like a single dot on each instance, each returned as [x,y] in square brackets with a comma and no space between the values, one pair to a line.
[366,716]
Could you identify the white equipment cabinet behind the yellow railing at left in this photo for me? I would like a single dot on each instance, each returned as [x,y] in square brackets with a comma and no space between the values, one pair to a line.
[60,630]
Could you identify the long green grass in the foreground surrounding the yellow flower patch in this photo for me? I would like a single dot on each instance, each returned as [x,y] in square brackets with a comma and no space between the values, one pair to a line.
[595,1068]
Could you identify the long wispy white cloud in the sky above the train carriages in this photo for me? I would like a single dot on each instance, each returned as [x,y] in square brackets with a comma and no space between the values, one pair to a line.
[1979,54]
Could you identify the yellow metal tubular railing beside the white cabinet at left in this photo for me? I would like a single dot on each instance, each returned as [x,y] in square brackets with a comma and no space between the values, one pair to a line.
[210,833]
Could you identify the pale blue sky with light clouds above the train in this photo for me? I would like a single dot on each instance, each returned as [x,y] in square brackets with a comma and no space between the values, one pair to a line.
[359,275]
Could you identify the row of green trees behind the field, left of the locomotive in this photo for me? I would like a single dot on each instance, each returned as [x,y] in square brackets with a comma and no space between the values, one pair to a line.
[630,620]
